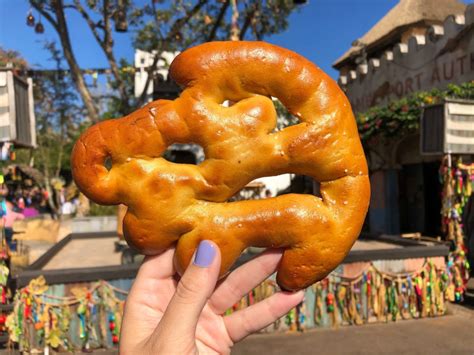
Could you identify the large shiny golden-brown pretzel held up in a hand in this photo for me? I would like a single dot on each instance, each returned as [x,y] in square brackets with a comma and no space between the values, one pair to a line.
[183,204]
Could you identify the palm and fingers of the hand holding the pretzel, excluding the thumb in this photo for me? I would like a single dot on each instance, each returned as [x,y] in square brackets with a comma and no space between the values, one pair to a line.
[156,284]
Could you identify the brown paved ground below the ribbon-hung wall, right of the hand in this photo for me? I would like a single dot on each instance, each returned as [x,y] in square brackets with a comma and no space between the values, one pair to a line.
[451,334]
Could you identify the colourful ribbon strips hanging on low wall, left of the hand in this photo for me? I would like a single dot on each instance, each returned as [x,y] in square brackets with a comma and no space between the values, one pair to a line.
[90,318]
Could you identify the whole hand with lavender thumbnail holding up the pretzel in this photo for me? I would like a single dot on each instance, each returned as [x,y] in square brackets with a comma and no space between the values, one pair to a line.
[166,316]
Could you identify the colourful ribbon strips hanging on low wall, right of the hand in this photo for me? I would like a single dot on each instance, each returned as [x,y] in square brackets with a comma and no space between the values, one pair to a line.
[371,296]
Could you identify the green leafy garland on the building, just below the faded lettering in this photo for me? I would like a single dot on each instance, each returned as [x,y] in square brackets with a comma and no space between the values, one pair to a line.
[403,116]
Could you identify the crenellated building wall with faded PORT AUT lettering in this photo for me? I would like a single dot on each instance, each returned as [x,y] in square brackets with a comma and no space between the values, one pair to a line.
[444,55]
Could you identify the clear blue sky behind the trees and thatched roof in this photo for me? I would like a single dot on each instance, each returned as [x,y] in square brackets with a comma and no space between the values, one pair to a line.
[321,31]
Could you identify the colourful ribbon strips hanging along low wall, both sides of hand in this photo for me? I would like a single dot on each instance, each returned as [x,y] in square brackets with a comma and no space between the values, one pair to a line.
[91,317]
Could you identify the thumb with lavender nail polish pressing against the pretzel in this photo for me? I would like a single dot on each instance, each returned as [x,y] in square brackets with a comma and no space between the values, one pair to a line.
[193,291]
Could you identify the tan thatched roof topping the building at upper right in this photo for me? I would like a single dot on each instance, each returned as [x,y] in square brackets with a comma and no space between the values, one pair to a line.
[405,13]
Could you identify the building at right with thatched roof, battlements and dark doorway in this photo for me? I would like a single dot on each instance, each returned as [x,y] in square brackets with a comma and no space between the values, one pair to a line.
[417,46]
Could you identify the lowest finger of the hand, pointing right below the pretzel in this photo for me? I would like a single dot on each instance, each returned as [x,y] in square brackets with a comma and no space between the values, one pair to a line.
[258,316]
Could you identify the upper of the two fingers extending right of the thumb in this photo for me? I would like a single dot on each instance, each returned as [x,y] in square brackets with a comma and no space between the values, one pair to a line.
[243,280]
